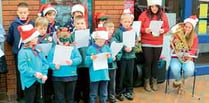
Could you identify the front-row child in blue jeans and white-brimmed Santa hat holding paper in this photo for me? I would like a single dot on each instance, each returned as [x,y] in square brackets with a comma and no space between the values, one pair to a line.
[98,78]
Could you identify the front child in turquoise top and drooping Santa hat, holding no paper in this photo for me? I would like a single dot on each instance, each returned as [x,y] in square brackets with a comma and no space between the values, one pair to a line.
[32,65]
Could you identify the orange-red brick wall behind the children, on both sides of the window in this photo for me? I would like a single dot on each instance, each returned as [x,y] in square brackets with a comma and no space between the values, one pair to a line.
[112,8]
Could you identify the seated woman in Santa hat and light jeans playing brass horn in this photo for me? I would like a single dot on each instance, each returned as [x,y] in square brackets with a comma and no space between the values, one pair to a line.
[184,45]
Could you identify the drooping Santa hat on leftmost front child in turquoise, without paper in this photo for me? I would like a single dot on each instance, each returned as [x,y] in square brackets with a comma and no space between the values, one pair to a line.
[28,33]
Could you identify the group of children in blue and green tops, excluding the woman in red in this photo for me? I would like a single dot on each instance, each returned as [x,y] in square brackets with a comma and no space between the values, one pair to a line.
[78,79]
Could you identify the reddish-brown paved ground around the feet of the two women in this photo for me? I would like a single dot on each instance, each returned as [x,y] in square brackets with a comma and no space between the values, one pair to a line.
[141,96]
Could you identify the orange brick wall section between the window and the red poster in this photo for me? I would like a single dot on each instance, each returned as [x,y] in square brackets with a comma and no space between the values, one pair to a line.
[112,8]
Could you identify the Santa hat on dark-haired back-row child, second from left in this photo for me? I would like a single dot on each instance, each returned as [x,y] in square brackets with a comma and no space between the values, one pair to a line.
[46,8]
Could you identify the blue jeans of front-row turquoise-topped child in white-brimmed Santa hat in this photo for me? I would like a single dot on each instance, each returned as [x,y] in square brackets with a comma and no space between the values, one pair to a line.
[100,86]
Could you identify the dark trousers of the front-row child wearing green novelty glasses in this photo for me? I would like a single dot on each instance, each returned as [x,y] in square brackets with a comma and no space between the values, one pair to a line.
[64,91]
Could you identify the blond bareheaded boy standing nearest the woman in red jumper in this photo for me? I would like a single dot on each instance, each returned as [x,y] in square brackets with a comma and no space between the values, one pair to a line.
[125,77]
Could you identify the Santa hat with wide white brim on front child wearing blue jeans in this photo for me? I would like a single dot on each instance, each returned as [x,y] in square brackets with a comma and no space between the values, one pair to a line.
[101,33]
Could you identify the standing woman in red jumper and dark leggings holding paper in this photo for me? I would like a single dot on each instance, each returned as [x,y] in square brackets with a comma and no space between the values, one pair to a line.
[152,44]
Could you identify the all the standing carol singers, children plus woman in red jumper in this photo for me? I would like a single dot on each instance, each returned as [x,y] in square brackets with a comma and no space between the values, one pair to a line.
[80,78]
